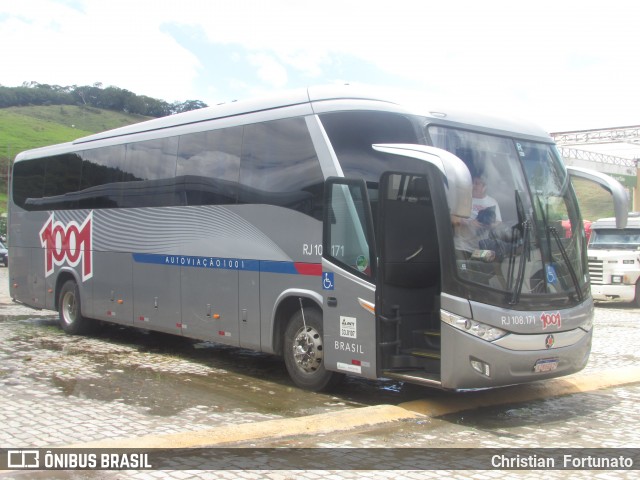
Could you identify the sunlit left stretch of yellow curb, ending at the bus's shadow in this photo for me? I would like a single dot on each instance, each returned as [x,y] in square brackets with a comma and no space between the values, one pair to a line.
[270,429]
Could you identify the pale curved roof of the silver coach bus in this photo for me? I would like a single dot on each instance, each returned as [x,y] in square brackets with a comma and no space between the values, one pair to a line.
[319,99]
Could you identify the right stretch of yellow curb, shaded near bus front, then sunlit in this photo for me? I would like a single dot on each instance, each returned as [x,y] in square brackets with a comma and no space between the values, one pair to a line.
[577,383]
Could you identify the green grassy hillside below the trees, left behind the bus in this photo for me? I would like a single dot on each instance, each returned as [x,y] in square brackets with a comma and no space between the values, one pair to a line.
[24,128]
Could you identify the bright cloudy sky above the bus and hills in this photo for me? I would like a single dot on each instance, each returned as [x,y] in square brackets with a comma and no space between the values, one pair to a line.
[566,65]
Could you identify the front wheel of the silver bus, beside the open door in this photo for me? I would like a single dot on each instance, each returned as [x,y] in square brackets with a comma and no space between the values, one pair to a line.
[303,352]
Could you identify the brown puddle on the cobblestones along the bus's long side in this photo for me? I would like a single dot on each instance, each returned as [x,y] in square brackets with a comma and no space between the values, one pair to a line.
[163,374]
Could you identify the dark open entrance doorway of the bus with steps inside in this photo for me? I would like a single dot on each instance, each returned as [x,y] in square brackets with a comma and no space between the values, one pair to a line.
[408,278]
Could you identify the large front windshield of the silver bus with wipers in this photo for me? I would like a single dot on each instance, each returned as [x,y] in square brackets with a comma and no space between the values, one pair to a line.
[513,240]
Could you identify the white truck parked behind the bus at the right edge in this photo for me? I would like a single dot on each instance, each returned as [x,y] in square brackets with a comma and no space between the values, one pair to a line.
[614,260]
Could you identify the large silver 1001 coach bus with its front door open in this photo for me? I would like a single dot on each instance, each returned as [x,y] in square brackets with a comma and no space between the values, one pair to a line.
[326,226]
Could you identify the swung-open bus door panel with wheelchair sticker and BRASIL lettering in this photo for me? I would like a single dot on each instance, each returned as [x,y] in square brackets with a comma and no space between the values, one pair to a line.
[348,285]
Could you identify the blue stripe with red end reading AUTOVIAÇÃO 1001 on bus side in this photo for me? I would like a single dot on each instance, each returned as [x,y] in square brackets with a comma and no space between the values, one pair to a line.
[268,266]
